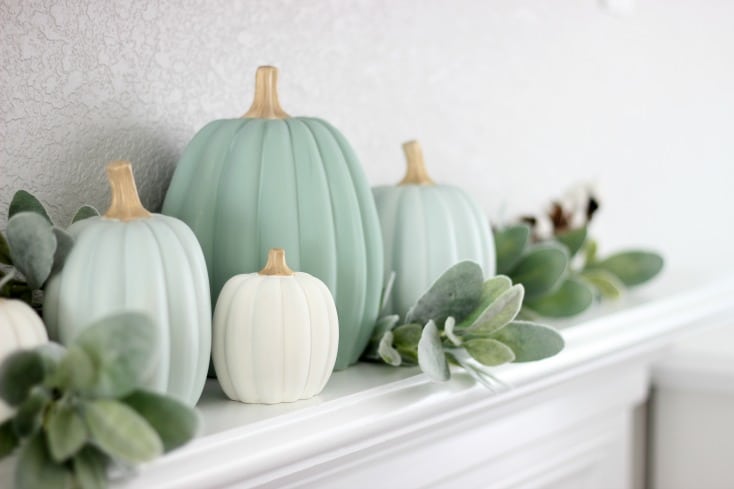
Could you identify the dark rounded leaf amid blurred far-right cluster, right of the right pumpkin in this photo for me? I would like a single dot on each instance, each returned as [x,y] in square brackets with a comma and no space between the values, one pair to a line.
[541,269]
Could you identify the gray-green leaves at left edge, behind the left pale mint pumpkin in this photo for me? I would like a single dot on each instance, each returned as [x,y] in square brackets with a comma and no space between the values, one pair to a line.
[33,247]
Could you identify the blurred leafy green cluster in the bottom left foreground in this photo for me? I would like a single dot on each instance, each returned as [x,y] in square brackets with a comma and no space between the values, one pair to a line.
[79,410]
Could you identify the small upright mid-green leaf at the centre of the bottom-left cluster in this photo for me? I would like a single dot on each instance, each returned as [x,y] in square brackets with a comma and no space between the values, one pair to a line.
[65,431]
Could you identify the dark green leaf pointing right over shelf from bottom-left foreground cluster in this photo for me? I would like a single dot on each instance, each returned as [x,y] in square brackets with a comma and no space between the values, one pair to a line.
[175,422]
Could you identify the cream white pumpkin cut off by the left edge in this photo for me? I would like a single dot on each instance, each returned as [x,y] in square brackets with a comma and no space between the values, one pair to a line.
[20,328]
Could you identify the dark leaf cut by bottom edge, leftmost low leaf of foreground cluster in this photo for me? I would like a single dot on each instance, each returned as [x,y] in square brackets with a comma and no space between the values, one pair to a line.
[37,470]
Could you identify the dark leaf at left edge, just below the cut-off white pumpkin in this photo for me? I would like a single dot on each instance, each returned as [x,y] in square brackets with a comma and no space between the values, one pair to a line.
[19,372]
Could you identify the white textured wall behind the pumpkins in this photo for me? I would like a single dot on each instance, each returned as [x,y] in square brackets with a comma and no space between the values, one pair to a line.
[513,100]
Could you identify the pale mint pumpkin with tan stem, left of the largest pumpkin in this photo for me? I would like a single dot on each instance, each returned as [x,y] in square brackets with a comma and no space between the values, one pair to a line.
[132,260]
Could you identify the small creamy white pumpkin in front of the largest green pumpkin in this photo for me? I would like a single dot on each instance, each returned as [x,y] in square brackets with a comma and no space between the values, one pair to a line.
[275,334]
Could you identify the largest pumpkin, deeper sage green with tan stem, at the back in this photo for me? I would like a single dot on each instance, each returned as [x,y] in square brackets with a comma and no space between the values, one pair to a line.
[268,180]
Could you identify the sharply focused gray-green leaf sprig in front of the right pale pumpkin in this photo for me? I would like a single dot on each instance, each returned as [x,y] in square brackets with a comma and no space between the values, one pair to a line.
[466,321]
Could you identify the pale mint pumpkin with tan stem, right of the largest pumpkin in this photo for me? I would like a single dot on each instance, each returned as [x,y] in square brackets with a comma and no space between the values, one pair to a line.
[426,229]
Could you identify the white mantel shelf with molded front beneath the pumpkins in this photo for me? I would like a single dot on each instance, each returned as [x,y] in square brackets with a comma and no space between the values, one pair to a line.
[566,421]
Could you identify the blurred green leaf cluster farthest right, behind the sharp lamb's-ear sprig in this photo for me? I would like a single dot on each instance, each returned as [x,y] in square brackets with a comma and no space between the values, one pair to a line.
[555,286]
